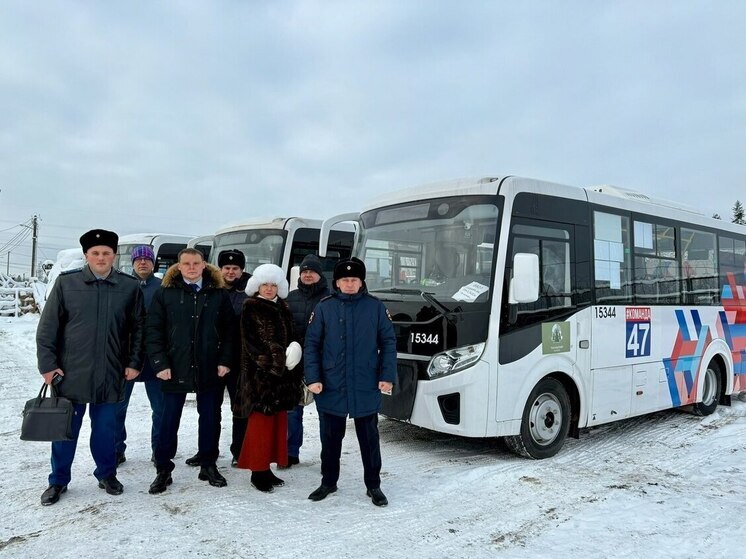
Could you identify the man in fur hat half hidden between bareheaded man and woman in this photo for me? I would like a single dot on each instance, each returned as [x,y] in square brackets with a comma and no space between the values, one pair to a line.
[231,264]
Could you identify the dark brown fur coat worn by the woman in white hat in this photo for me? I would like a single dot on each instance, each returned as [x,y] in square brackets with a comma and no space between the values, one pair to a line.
[265,384]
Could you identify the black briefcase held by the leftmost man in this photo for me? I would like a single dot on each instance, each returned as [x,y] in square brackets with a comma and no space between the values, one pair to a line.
[47,418]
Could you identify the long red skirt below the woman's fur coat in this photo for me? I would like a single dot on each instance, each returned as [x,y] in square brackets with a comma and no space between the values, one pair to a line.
[266,441]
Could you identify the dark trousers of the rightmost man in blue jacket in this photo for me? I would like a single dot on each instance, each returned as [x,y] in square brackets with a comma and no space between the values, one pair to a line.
[332,429]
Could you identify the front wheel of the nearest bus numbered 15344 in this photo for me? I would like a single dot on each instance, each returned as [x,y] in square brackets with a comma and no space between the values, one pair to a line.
[545,421]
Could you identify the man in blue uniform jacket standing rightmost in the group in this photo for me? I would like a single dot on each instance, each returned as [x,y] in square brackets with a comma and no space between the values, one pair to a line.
[350,358]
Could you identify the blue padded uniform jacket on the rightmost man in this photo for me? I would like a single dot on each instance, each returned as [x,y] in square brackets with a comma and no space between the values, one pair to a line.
[350,347]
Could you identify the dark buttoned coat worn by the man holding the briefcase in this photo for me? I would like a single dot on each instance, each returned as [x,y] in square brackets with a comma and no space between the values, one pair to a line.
[92,330]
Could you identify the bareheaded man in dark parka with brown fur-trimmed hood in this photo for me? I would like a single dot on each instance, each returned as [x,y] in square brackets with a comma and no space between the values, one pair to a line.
[189,339]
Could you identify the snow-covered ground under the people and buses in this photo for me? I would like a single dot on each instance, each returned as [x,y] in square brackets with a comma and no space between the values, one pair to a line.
[665,485]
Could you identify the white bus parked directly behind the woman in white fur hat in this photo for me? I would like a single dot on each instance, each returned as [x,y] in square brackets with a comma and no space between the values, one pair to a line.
[283,241]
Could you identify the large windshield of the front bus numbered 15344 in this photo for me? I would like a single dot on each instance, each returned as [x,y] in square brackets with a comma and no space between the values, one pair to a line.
[444,247]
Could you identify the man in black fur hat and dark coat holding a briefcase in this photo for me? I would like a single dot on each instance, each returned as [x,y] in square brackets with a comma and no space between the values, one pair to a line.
[90,336]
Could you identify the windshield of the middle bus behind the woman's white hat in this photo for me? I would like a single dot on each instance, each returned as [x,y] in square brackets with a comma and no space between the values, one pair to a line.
[259,246]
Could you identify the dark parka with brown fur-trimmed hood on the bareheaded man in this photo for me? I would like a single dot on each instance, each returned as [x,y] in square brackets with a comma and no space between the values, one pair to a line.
[190,332]
